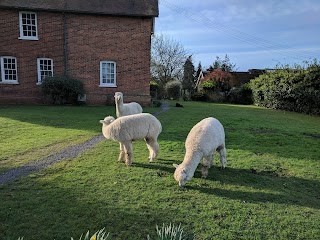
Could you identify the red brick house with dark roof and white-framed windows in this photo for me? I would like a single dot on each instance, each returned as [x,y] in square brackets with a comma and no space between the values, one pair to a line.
[104,43]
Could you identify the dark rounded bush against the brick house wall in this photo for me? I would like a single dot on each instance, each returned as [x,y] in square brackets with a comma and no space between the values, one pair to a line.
[62,89]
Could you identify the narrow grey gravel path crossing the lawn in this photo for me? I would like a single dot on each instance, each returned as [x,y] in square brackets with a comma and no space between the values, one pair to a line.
[67,153]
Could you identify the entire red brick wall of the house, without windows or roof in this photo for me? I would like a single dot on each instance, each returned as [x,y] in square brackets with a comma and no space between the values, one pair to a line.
[90,39]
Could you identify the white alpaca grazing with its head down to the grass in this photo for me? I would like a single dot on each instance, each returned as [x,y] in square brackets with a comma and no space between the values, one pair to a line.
[203,140]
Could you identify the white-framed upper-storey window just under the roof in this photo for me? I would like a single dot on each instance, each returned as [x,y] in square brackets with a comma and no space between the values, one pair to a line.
[28,25]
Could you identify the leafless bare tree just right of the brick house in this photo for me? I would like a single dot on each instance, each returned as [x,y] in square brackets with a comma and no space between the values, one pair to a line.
[167,59]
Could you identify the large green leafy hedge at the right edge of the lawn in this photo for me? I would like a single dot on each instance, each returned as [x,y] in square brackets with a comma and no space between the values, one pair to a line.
[295,89]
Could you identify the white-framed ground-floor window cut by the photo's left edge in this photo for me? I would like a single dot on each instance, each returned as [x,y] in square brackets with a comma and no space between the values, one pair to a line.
[9,70]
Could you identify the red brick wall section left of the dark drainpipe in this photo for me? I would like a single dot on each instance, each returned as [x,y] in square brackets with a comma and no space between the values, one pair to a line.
[27,52]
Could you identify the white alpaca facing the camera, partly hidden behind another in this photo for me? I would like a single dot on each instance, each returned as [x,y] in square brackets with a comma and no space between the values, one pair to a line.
[124,109]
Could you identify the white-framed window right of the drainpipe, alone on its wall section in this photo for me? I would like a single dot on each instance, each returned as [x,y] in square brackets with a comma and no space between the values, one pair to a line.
[107,74]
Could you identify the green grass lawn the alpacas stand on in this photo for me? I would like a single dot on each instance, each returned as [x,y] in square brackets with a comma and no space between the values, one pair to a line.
[269,190]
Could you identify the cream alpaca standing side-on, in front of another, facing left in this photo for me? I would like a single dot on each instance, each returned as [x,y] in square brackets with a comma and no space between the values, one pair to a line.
[133,127]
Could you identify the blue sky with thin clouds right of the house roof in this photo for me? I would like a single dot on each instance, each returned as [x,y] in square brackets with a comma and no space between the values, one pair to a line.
[254,34]
